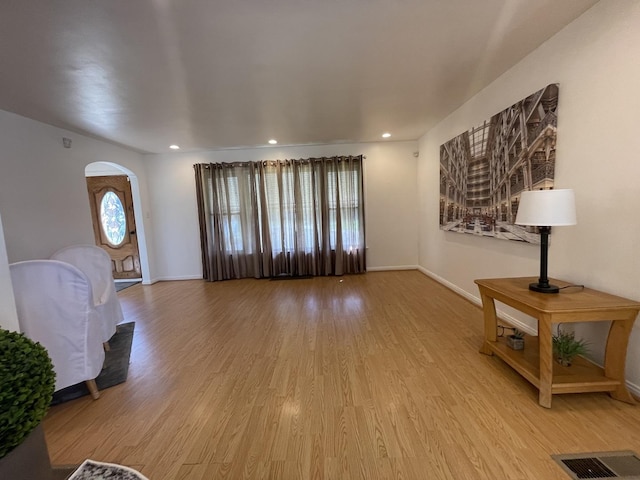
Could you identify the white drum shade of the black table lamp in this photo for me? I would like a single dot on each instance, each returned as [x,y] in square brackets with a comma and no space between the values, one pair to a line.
[548,208]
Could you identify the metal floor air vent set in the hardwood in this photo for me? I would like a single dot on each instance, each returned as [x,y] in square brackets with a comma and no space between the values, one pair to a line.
[624,465]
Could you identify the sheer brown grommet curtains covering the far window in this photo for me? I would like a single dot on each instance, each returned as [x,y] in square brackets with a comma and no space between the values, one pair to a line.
[282,217]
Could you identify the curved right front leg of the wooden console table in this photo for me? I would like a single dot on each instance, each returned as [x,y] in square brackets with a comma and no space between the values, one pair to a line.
[616,355]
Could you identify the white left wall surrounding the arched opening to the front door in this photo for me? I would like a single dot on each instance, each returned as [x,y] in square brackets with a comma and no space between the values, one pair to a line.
[43,192]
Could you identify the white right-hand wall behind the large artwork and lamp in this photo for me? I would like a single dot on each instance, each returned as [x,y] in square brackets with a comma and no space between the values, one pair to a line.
[595,60]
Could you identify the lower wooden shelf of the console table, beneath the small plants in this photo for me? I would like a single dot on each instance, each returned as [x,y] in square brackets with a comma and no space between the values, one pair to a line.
[582,377]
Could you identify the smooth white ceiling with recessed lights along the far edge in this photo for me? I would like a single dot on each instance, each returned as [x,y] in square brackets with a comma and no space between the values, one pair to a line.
[212,74]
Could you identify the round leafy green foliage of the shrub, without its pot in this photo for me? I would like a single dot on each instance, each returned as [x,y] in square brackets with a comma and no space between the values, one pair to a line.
[27,381]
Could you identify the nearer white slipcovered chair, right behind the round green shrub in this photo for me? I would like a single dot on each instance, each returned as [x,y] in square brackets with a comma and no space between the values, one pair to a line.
[54,301]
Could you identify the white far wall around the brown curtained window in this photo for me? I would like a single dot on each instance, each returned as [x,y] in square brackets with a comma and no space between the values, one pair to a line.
[390,189]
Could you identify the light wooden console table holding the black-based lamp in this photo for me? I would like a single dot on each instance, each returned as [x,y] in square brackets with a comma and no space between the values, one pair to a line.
[535,362]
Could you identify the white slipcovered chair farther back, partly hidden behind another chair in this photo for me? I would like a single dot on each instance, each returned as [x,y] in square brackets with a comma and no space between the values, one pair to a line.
[96,264]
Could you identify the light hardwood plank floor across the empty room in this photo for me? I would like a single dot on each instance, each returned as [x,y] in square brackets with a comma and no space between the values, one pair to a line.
[360,377]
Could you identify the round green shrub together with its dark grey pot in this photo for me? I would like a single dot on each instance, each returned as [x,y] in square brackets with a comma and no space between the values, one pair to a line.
[27,381]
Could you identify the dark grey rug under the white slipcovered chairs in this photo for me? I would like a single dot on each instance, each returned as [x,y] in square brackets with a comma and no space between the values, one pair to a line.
[114,371]
